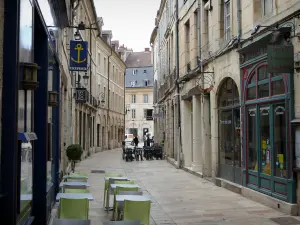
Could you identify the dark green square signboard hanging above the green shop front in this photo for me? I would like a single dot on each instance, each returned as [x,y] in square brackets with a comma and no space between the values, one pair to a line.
[280,58]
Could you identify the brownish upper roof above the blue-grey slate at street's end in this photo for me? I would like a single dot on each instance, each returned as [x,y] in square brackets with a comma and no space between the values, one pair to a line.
[139,59]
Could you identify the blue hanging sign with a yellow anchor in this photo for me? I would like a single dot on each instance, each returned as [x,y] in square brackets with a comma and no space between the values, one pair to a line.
[78,55]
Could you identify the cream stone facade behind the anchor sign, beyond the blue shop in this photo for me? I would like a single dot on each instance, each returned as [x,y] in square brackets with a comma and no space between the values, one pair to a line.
[99,124]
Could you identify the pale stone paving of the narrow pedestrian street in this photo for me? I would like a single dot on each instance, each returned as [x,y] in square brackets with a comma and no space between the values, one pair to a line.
[177,196]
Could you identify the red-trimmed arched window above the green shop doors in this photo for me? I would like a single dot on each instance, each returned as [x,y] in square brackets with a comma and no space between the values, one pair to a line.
[263,84]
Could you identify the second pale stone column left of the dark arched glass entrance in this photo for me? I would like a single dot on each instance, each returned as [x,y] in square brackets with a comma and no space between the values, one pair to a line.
[197,148]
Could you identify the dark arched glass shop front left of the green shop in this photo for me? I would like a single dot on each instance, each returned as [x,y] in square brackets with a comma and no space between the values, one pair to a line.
[229,132]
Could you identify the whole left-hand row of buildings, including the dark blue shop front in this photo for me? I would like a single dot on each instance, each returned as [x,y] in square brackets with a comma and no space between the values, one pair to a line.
[40,116]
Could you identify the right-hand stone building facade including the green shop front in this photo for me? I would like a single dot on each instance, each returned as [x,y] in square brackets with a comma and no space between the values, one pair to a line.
[238,110]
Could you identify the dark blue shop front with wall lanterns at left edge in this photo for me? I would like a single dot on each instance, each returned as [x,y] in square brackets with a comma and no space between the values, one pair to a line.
[30,118]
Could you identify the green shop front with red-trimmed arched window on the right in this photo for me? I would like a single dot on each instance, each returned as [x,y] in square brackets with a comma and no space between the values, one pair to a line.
[267,111]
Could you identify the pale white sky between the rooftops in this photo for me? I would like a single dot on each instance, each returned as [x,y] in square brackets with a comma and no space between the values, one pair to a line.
[131,21]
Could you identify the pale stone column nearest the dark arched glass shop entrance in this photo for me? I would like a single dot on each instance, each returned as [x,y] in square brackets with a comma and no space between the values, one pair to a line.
[206,137]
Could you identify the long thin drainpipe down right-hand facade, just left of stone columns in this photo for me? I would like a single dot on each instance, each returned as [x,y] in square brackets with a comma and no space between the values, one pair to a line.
[179,152]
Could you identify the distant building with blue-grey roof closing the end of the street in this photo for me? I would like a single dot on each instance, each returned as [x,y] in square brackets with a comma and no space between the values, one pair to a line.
[139,93]
